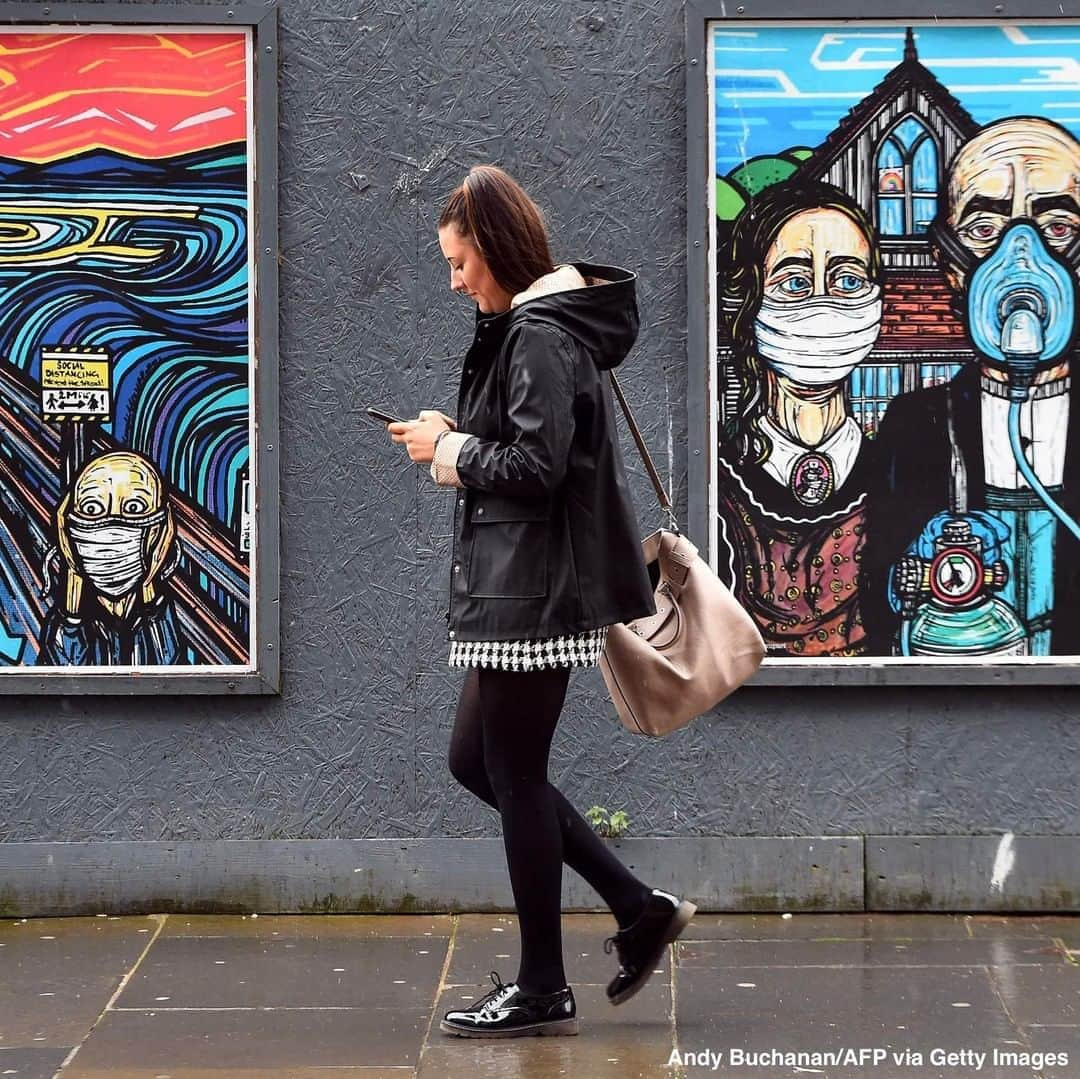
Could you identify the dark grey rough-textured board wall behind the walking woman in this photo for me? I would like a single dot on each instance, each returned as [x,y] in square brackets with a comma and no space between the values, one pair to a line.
[383,110]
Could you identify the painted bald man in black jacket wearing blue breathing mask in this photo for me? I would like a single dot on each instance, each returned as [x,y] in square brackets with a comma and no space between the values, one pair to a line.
[973,543]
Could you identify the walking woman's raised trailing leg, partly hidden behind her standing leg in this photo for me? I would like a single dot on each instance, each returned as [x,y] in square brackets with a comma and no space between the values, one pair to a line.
[583,848]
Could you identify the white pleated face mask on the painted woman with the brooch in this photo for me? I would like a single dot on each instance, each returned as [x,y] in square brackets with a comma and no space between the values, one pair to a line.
[821,341]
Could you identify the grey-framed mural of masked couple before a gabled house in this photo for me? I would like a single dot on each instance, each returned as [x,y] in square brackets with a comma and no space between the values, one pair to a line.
[884,250]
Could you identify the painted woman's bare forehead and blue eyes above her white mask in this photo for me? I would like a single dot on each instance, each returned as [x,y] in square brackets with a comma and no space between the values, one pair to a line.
[818,253]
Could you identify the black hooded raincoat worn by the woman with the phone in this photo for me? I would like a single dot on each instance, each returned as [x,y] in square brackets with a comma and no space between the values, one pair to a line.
[546,539]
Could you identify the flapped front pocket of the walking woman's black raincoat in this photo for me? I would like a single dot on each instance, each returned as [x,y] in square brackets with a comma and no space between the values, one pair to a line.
[509,552]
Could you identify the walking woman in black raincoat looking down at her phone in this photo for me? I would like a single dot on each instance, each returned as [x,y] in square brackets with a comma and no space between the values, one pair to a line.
[546,558]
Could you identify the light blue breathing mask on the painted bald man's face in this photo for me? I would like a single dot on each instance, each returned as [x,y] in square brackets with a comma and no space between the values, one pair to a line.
[1022,303]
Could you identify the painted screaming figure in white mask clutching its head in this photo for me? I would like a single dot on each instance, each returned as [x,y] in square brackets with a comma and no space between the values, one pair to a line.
[118,546]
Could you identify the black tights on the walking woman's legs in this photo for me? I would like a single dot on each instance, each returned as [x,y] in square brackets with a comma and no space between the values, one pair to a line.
[499,751]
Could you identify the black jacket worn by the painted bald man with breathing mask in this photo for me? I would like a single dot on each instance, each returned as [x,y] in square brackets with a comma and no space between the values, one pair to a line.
[914,482]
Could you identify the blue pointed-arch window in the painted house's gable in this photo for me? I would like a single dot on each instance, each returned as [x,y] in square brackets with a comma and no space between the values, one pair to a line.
[908,180]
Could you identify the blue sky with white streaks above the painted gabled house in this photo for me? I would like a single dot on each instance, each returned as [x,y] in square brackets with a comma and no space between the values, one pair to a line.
[781,87]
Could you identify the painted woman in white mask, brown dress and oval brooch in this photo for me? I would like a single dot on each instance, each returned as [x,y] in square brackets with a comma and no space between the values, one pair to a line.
[803,294]
